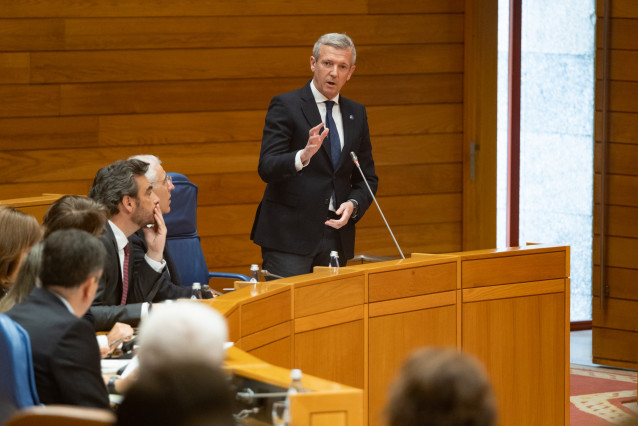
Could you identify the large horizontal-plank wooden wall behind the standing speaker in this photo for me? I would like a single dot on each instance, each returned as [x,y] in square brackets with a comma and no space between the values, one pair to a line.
[84,84]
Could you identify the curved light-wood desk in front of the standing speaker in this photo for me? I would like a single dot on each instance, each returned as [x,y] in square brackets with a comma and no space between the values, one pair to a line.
[509,308]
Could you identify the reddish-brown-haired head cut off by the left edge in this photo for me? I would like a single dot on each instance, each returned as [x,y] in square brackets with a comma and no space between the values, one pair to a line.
[19,232]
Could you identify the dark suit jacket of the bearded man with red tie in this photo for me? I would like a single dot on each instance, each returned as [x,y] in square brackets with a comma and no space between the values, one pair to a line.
[143,284]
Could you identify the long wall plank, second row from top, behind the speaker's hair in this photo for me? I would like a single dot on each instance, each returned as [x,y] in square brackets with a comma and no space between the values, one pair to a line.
[264,31]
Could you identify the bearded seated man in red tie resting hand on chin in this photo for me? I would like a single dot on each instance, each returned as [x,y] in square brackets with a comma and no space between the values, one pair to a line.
[125,294]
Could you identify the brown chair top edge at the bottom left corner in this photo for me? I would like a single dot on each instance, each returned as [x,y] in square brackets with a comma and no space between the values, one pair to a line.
[62,415]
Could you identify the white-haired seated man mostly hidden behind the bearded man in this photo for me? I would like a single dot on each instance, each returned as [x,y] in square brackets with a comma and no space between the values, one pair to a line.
[170,287]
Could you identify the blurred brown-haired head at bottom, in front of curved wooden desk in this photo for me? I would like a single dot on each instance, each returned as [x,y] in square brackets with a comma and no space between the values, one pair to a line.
[441,387]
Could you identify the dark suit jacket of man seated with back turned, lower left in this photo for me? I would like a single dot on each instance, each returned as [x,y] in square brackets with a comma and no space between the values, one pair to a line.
[66,357]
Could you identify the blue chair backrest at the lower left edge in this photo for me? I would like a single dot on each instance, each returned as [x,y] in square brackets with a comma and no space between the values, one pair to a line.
[17,381]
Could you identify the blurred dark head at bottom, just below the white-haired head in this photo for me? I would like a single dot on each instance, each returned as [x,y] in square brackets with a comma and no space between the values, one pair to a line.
[179,394]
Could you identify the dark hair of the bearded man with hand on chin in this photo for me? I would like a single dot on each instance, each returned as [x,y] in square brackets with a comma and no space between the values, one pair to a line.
[115,181]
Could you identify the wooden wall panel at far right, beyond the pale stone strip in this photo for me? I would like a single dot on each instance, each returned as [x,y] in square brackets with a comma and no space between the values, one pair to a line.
[614,332]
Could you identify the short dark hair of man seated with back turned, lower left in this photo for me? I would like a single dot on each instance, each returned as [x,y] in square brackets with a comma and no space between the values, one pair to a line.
[69,257]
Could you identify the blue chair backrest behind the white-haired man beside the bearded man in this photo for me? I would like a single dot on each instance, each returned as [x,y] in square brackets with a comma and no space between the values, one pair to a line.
[182,239]
